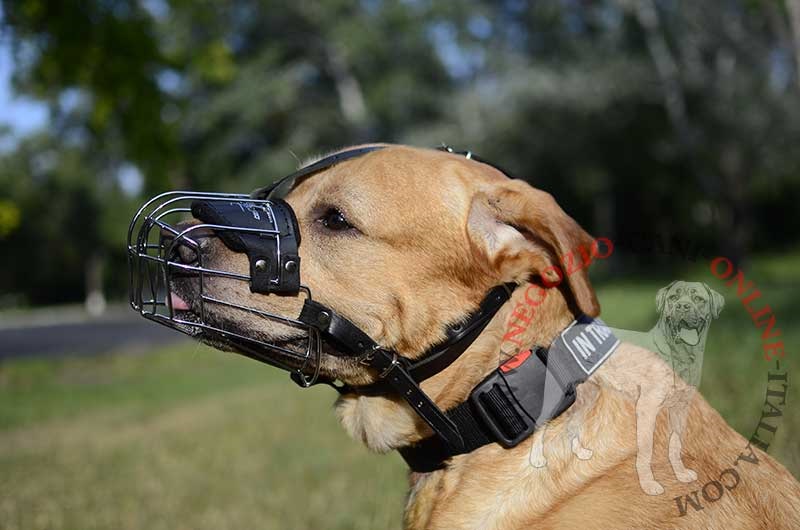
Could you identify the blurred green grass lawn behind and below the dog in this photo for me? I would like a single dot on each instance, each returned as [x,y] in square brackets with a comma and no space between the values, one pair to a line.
[189,438]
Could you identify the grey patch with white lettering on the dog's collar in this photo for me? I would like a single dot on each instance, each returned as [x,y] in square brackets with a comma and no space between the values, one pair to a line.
[589,341]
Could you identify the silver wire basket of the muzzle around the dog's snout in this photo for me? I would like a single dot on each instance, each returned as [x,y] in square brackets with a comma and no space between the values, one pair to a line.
[155,236]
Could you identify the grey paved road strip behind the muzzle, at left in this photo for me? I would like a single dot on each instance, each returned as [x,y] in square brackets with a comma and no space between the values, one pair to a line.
[120,330]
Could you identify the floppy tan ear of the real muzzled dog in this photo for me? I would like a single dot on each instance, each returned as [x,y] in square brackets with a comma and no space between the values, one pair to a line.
[519,230]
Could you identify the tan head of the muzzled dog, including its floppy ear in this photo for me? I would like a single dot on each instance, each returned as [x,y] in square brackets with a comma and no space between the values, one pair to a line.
[402,242]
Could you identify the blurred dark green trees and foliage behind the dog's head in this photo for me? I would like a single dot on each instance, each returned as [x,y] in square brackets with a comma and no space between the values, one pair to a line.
[647,117]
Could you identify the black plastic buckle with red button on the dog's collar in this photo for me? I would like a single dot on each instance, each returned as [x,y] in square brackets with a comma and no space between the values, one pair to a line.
[518,396]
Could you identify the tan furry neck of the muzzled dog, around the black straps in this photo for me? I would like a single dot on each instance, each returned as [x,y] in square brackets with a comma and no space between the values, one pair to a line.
[388,423]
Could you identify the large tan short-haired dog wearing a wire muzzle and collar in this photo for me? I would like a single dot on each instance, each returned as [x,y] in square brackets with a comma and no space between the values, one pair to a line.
[402,242]
